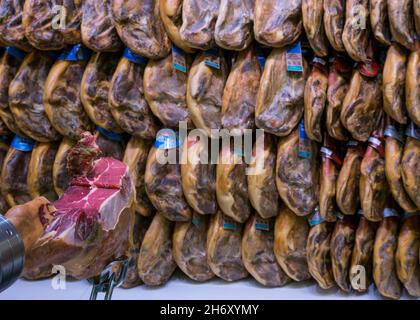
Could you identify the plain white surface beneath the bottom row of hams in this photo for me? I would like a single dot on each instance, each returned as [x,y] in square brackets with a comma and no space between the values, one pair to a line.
[181,288]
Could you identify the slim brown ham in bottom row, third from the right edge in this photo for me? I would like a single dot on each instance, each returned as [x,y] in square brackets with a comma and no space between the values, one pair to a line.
[362,255]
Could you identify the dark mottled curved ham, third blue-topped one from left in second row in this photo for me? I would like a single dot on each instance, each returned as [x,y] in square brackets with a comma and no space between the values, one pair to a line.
[127,100]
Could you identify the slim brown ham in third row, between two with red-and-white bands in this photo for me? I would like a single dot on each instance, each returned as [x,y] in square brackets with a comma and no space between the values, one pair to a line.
[348,181]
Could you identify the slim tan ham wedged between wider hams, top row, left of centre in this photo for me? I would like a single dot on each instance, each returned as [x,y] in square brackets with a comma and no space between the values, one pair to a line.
[171,14]
